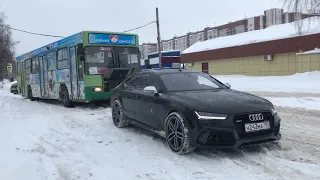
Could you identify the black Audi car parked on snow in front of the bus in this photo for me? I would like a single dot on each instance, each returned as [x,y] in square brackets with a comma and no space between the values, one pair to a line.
[193,110]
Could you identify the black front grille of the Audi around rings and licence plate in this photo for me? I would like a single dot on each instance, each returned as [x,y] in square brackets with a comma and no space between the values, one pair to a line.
[241,119]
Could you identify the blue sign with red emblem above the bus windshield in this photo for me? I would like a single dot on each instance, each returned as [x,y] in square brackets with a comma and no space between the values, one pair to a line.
[112,39]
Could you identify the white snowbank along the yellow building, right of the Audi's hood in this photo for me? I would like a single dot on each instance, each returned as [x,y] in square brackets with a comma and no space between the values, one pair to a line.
[308,82]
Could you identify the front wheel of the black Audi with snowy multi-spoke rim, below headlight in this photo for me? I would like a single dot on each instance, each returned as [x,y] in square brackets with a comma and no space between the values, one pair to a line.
[177,134]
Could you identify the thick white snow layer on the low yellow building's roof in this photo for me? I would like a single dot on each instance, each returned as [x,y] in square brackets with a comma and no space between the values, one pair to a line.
[282,31]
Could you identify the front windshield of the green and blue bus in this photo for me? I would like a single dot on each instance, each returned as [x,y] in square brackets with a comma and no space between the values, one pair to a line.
[99,59]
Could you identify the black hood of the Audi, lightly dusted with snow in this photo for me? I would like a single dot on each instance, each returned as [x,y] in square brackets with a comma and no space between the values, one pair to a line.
[224,101]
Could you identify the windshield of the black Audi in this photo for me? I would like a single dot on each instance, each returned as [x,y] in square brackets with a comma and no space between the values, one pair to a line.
[189,81]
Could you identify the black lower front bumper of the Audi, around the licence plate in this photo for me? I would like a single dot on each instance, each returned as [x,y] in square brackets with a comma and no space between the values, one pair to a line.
[229,134]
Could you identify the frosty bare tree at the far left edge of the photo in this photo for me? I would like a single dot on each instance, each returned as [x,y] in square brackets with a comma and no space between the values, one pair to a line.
[6,47]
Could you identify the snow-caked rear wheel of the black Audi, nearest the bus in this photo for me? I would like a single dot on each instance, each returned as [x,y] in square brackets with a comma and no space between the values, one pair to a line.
[119,118]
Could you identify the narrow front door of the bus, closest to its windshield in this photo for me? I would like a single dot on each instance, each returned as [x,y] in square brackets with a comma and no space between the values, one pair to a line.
[73,73]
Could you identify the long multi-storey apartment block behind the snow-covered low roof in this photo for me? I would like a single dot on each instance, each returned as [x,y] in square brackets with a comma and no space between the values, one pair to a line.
[270,17]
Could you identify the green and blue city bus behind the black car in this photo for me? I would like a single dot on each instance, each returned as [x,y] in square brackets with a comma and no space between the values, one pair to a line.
[83,67]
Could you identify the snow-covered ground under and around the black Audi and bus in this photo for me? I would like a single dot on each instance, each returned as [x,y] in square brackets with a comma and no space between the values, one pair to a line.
[42,140]
